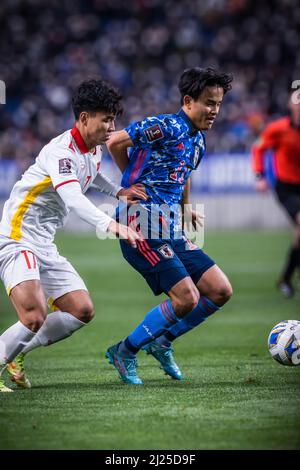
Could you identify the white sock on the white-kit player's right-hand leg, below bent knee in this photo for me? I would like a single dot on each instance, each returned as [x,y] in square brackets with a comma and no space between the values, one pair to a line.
[57,326]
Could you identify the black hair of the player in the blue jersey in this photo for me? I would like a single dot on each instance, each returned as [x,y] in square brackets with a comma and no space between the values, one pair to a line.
[193,81]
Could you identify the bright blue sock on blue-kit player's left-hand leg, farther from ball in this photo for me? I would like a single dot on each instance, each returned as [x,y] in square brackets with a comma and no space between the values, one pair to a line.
[157,321]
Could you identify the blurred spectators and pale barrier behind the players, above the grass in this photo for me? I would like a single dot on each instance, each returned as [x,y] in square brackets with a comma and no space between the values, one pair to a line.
[142,47]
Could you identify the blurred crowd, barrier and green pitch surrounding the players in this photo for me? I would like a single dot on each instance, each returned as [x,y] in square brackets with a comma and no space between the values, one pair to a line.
[236,395]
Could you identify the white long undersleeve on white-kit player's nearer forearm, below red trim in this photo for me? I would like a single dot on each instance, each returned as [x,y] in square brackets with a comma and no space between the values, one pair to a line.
[73,198]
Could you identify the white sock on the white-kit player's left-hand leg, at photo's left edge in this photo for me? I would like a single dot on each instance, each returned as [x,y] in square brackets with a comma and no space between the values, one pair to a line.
[13,340]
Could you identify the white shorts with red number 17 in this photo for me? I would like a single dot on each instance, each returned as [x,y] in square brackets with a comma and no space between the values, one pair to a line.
[21,262]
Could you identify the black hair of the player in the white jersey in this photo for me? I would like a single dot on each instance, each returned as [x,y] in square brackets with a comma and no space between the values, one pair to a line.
[96,95]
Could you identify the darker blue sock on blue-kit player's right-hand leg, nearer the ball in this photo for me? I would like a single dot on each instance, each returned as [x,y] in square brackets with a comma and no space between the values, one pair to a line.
[204,309]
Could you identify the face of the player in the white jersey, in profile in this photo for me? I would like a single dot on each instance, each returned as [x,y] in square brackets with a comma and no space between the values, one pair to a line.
[99,127]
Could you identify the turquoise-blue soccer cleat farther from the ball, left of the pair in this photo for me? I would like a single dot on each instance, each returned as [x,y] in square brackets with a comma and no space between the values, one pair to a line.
[126,366]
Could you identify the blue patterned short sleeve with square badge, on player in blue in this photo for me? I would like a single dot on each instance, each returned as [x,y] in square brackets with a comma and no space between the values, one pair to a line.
[151,131]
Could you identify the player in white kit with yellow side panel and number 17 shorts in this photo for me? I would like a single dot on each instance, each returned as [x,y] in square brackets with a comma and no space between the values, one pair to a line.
[31,268]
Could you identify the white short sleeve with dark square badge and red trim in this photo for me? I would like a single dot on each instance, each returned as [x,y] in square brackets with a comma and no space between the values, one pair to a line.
[62,166]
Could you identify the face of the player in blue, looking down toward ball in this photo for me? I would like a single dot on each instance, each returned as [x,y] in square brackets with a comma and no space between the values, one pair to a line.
[203,111]
